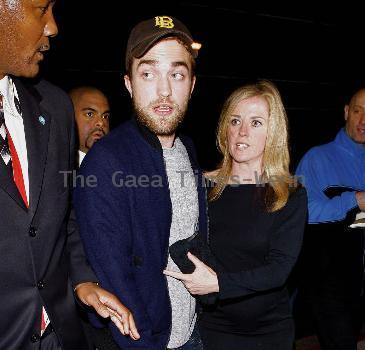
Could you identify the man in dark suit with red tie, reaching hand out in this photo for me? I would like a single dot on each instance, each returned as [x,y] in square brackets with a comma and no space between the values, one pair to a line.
[42,261]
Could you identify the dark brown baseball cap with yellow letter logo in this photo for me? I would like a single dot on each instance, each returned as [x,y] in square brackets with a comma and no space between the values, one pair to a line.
[147,33]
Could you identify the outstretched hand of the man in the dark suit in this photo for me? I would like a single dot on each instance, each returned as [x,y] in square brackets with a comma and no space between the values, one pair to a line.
[108,305]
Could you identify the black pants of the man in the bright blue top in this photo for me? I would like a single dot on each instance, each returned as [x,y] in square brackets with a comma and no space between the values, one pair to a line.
[330,272]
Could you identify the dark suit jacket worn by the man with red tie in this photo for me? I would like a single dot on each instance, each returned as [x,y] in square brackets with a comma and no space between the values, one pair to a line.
[41,255]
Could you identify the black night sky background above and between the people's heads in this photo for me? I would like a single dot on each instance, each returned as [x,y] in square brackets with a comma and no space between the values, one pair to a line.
[312,52]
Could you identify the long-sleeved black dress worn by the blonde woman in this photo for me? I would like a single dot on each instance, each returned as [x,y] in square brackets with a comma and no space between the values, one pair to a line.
[257,250]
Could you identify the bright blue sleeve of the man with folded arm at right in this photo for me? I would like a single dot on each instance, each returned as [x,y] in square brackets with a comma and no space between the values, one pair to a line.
[312,170]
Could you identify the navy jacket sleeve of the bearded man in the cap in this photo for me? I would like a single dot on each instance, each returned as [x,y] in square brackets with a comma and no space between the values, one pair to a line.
[103,213]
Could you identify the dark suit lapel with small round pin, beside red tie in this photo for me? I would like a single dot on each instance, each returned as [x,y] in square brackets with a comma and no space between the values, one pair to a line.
[36,126]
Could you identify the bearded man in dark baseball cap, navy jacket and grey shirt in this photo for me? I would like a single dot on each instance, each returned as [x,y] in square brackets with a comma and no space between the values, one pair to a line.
[149,191]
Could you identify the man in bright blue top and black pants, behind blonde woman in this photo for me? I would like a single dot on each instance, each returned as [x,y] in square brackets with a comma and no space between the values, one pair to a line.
[333,175]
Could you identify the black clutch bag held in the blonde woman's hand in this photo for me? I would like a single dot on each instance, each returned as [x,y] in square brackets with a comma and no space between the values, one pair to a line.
[198,246]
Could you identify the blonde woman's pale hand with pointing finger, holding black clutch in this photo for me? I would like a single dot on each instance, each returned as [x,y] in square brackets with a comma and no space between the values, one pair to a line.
[202,281]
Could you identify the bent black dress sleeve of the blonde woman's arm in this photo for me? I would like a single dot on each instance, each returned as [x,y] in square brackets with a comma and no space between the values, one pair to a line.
[284,249]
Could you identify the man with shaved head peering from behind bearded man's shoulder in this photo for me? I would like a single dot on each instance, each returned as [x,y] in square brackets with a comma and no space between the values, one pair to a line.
[92,113]
